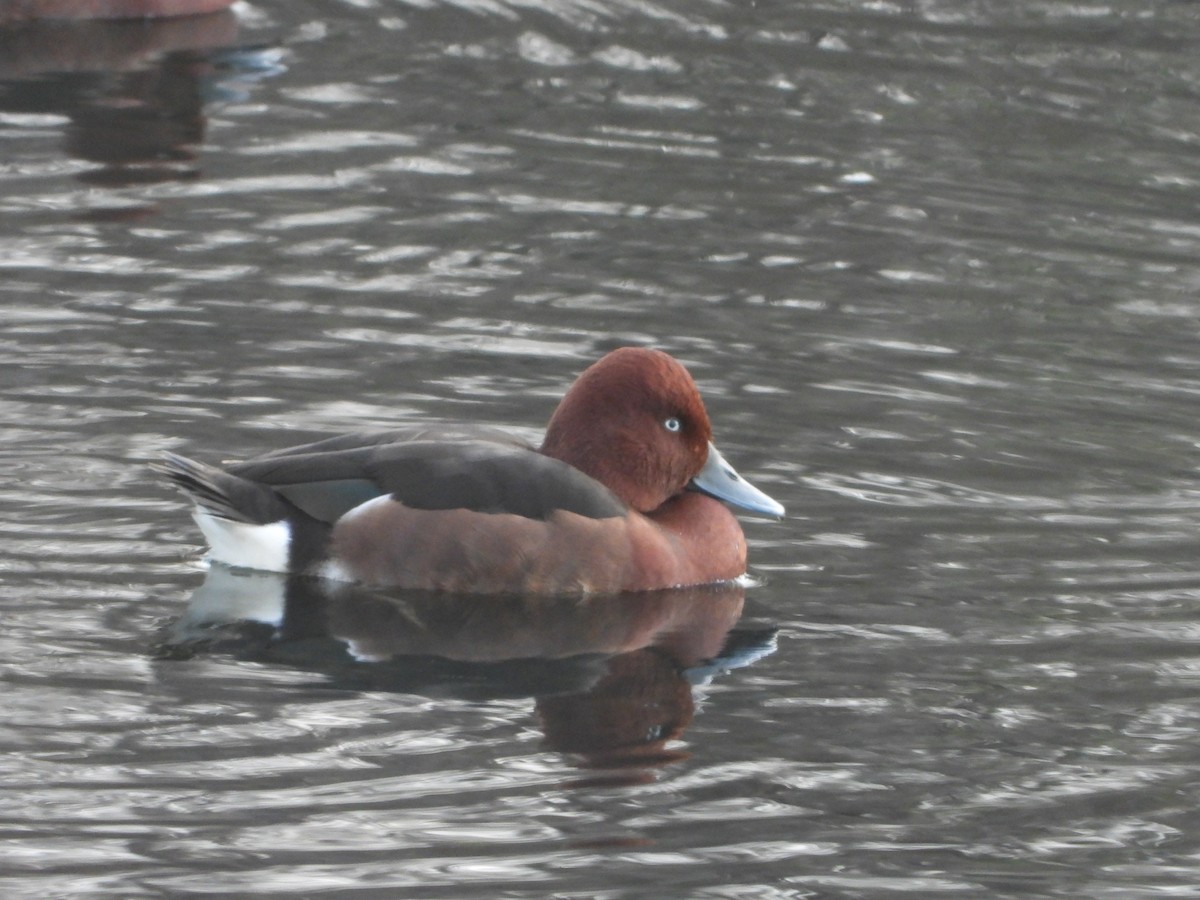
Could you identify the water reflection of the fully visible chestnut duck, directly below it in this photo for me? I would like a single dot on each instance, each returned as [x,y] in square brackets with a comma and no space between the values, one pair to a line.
[611,676]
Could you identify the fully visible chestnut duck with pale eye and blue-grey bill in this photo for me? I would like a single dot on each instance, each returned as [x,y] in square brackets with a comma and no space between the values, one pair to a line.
[625,494]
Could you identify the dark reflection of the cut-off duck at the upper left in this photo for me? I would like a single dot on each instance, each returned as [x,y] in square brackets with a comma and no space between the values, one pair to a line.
[134,93]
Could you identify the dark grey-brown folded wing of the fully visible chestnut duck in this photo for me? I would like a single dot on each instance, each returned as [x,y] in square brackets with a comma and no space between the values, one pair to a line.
[479,476]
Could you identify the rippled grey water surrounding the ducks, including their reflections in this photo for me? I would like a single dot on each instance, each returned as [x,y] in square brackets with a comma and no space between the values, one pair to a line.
[934,266]
